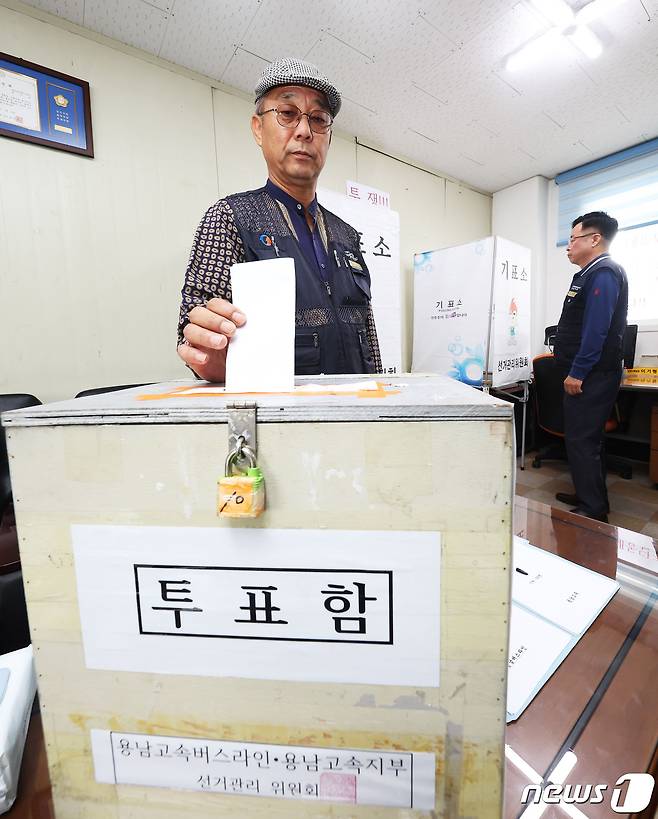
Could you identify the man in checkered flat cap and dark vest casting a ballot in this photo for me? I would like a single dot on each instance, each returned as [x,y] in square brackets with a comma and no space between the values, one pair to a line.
[334,324]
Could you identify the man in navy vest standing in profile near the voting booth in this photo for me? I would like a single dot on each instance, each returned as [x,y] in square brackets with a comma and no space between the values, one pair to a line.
[589,351]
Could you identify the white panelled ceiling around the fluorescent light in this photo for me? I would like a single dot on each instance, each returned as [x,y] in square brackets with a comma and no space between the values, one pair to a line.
[426,83]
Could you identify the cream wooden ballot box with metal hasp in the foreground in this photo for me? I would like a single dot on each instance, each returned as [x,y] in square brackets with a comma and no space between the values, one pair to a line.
[343,654]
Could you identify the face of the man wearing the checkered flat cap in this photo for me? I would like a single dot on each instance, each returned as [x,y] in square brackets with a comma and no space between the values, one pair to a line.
[293,155]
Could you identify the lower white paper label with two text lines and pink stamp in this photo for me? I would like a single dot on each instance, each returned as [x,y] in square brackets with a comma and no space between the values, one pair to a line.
[358,777]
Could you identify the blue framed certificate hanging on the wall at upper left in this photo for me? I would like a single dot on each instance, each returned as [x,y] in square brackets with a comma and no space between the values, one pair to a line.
[44,106]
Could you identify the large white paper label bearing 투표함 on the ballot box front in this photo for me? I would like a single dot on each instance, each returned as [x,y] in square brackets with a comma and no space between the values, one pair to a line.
[312,605]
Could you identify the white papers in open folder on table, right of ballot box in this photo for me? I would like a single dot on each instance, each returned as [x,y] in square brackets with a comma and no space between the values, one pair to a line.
[554,602]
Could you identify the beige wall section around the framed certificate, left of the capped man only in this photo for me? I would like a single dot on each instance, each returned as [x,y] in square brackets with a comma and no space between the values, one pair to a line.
[91,250]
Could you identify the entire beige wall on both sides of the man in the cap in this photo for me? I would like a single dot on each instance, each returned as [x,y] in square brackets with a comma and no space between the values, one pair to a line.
[92,251]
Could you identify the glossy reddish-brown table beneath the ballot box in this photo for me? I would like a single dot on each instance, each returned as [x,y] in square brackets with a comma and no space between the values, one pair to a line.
[622,733]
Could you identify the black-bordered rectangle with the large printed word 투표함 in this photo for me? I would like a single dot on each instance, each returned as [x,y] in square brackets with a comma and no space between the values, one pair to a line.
[259,604]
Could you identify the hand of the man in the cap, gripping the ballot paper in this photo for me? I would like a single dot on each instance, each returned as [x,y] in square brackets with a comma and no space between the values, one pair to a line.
[207,336]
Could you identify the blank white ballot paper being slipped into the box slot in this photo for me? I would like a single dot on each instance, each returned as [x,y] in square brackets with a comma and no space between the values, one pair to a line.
[261,355]
